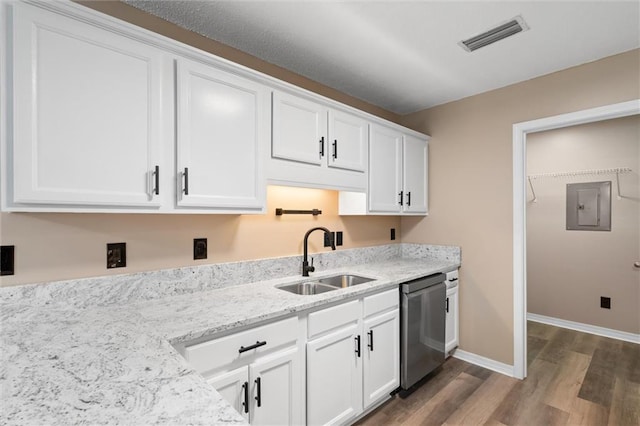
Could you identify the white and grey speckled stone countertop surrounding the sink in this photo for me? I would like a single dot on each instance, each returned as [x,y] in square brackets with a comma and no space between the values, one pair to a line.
[70,362]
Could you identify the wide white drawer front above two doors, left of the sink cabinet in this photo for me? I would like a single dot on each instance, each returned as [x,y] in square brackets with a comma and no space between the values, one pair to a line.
[208,356]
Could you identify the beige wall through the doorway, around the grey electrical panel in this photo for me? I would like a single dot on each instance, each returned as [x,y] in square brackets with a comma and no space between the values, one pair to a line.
[568,271]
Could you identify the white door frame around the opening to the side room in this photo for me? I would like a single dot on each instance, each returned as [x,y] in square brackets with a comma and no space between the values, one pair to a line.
[520,131]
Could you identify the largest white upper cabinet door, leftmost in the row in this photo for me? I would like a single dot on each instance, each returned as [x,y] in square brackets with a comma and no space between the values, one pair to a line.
[87,113]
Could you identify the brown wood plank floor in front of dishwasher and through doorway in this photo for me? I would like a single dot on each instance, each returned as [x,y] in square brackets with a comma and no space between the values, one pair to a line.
[573,378]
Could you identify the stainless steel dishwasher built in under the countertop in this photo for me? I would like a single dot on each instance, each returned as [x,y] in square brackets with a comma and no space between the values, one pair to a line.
[422,328]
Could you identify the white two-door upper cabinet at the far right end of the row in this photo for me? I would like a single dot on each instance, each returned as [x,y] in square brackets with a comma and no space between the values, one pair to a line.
[398,172]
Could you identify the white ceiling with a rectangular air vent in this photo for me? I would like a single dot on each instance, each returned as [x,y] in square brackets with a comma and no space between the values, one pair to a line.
[403,55]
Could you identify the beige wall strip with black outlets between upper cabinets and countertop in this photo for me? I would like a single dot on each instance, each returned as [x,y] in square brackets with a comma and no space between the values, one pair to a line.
[54,246]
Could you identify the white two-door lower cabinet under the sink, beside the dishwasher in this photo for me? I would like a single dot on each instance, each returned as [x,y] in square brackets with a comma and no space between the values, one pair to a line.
[352,357]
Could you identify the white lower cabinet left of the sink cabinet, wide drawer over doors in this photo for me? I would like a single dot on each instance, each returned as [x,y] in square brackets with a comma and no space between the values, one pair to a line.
[258,371]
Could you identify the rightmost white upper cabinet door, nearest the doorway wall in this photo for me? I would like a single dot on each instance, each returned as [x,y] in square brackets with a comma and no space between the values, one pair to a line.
[415,159]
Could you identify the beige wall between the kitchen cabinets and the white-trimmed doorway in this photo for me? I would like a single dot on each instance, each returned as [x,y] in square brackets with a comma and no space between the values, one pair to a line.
[470,172]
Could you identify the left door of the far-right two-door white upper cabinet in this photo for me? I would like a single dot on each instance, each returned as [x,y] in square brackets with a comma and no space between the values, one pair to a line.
[385,169]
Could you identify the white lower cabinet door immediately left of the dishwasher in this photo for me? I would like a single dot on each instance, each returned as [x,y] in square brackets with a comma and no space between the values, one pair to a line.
[382,356]
